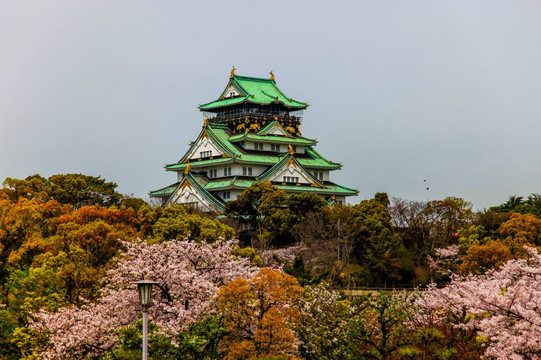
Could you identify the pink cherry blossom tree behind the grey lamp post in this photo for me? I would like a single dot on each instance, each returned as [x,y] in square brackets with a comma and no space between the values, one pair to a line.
[191,273]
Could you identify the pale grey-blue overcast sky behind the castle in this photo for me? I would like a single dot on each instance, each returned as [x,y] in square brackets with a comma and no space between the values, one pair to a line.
[400,91]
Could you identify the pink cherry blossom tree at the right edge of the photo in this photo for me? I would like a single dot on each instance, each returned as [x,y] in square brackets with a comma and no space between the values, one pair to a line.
[502,305]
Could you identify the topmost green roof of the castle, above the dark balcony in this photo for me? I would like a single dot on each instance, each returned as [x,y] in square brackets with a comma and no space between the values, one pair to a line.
[255,91]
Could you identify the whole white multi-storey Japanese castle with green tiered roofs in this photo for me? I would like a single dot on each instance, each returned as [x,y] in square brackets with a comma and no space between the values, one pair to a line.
[250,134]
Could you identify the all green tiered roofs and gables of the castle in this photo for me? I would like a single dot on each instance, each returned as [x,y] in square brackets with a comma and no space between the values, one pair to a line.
[228,139]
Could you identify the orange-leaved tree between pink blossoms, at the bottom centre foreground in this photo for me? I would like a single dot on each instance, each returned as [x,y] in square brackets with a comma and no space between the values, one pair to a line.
[259,315]
